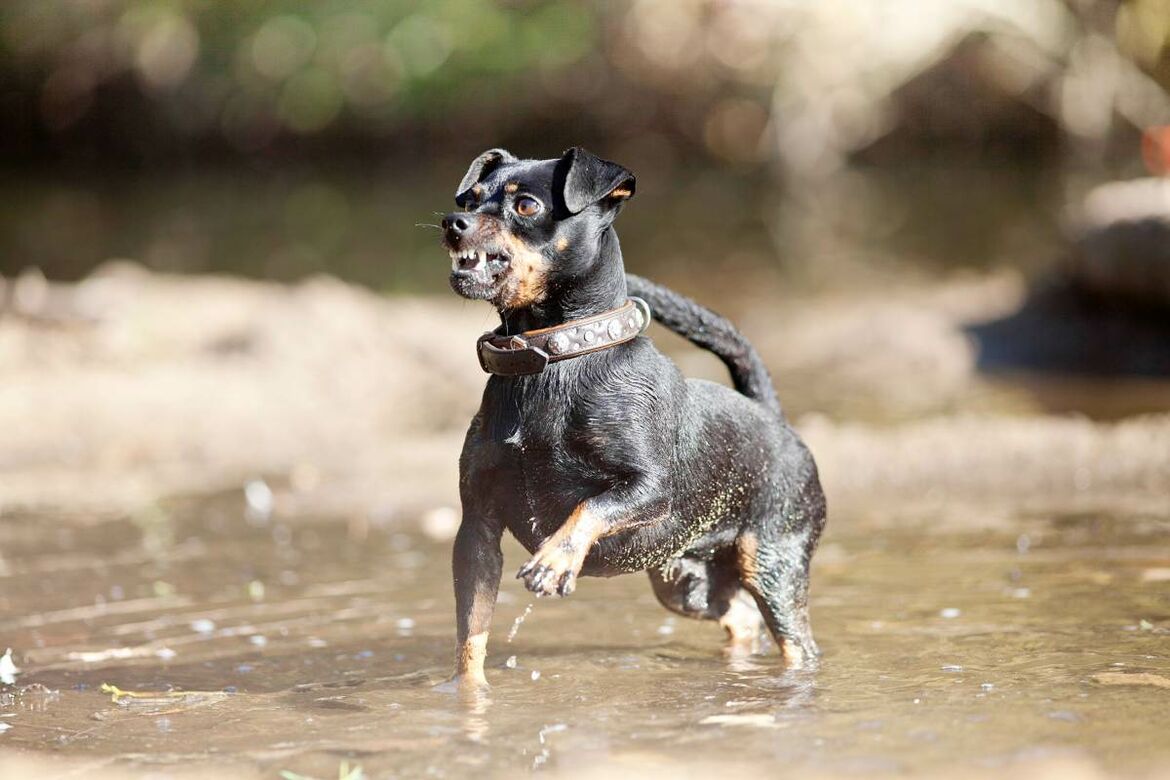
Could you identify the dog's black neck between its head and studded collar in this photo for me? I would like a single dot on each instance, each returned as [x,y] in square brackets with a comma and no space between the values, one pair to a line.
[603,291]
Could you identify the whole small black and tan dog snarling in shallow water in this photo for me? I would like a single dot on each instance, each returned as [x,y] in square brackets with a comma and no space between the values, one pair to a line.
[590,447]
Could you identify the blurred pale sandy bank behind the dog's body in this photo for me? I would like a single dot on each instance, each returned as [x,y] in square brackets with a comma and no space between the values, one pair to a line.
[133,386]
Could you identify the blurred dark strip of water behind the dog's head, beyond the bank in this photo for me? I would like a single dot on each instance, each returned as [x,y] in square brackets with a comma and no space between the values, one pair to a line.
[732,230]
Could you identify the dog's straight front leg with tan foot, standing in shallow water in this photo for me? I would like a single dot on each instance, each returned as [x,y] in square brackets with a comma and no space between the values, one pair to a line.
[477,567]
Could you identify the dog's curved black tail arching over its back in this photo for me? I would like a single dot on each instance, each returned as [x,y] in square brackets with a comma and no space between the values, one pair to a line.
[704,328]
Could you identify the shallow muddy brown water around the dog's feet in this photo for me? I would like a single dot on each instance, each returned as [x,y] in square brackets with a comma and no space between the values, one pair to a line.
[306,644]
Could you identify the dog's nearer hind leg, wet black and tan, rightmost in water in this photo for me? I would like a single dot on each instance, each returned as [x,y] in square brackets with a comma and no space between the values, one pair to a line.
[774,558]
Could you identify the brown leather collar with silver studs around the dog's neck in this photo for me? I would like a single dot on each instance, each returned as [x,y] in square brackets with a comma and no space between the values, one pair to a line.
[532,351]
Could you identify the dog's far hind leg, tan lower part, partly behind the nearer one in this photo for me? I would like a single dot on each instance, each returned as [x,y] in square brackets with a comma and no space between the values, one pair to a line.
[710,590]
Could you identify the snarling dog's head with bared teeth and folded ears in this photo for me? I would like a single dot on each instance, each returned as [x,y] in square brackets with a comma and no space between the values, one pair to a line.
[529,227]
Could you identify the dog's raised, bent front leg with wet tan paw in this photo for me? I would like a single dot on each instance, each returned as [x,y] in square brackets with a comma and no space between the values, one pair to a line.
[554,569]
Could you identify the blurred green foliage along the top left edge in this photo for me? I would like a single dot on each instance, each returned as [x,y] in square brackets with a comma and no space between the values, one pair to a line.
[258,65]
